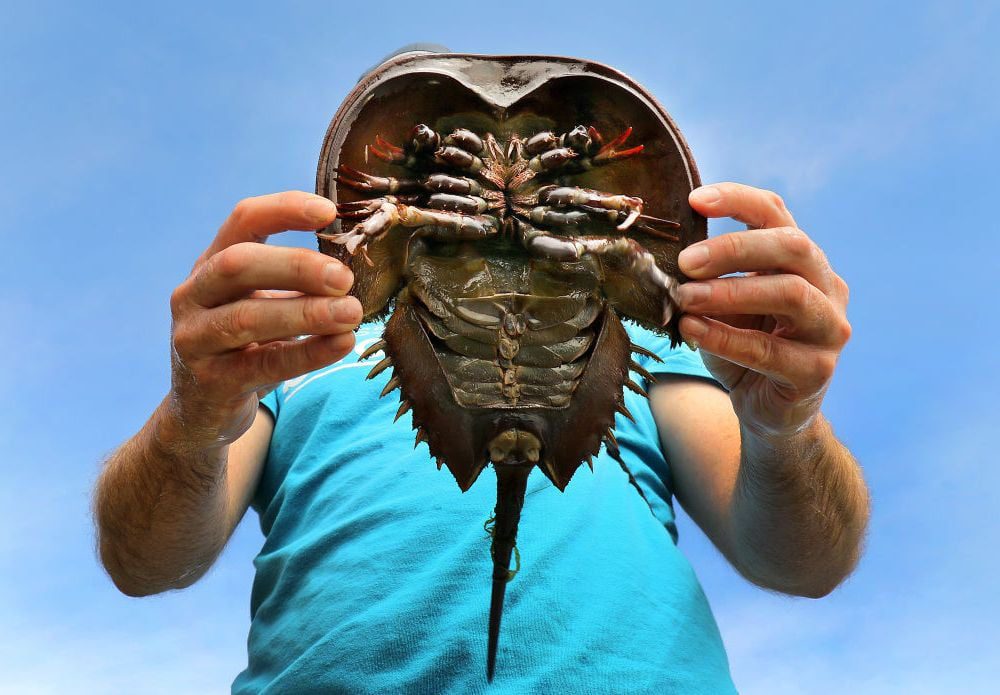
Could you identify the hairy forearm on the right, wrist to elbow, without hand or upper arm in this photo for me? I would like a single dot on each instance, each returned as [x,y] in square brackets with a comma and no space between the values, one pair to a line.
[799,511]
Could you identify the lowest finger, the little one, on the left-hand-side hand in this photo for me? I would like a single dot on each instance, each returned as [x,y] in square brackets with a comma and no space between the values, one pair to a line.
[260,366]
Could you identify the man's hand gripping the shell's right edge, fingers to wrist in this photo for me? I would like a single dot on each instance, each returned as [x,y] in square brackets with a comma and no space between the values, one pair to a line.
[772,336]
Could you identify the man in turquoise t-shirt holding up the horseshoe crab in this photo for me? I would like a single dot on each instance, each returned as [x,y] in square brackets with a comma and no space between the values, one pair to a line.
[374,574]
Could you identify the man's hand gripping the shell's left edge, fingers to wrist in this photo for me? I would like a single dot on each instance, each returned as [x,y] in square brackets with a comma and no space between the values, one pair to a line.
[238,319]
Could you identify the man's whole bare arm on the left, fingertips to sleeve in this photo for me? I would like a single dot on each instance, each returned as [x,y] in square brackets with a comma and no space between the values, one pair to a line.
[168,499]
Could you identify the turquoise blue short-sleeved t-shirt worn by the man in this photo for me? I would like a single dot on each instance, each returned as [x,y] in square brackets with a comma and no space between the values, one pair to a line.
[375,573]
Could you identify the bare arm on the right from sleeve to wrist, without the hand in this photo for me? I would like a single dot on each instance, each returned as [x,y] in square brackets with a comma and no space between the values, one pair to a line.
[791,520]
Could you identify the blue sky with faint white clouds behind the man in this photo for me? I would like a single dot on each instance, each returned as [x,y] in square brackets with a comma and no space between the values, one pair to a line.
[127,133]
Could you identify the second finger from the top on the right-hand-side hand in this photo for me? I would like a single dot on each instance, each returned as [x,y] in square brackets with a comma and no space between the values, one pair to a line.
[784,250]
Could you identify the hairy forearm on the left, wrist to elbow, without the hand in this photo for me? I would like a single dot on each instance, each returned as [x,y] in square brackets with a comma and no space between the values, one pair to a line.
[160,508]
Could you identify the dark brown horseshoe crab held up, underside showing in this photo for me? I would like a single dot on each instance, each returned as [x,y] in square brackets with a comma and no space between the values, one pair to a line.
[505,213]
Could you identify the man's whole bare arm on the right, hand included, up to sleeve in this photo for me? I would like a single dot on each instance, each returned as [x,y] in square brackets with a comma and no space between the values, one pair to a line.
[760,470]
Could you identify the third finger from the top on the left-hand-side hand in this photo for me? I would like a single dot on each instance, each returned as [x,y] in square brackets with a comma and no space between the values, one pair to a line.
[237,325]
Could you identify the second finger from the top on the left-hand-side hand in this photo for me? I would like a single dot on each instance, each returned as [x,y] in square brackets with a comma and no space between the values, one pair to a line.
[238,270]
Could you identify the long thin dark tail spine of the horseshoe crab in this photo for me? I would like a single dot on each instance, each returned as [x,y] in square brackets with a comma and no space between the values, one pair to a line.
[512,480]
